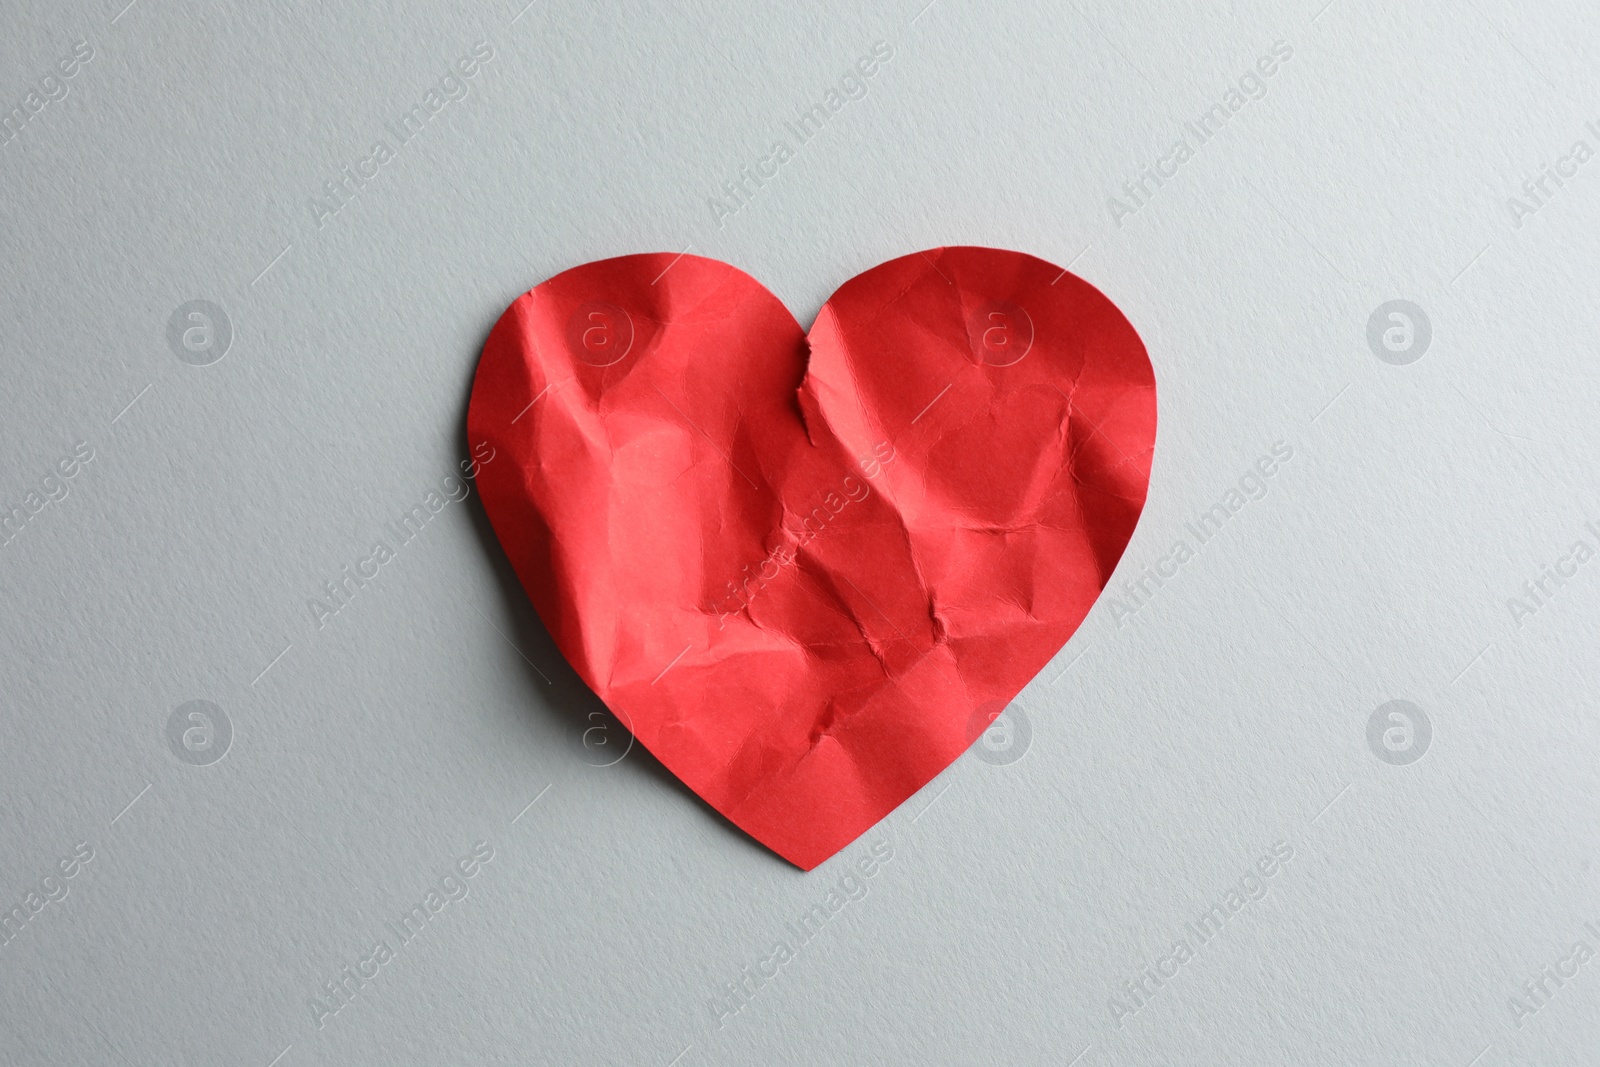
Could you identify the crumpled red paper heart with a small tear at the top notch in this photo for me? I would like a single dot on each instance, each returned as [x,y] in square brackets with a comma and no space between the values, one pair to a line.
[798,565]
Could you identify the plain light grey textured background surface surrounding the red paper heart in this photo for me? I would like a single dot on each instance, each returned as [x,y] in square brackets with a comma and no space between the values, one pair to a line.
[1167,753]
